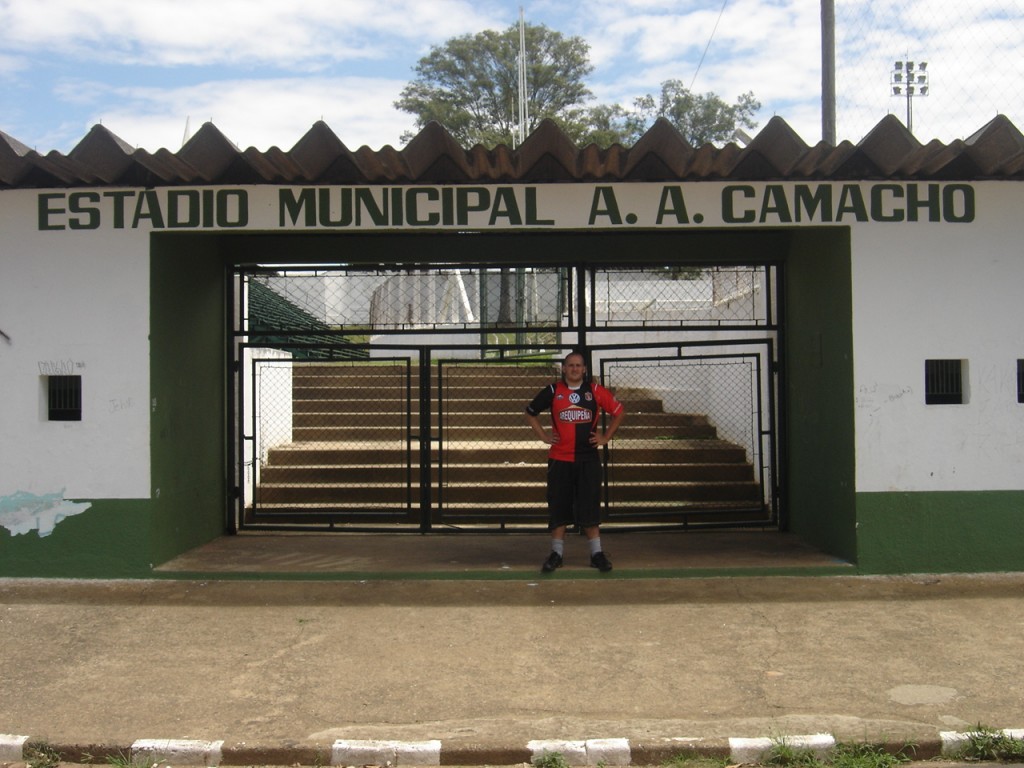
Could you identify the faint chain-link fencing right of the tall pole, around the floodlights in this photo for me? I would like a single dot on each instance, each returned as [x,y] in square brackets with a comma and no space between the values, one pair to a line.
[965,66]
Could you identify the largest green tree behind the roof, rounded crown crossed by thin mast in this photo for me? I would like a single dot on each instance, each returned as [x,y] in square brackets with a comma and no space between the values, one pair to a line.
[471,83]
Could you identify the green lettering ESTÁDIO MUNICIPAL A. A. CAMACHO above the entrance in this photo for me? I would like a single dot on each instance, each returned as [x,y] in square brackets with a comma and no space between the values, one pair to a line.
[503,207]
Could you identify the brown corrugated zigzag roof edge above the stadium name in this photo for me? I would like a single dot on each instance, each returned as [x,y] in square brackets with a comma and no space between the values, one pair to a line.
[548,156]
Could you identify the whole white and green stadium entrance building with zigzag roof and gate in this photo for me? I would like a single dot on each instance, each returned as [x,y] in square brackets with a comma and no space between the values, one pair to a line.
[822,342]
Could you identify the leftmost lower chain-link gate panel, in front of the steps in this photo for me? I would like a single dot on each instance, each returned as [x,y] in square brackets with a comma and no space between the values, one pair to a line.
[334,441]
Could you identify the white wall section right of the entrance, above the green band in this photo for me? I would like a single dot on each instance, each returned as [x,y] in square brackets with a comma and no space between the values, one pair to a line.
[941,291]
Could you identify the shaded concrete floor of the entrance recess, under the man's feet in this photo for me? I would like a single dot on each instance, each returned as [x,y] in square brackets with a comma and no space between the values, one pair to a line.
[452,554]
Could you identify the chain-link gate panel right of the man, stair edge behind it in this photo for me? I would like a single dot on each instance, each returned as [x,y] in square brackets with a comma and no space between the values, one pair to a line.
[692,447]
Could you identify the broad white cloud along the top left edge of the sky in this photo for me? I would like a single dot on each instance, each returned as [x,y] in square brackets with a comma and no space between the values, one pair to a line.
[204,32]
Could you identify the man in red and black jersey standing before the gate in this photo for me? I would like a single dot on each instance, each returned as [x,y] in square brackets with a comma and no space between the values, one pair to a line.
[574,463]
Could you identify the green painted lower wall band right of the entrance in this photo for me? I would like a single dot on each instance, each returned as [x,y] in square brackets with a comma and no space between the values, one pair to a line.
[941,532]
